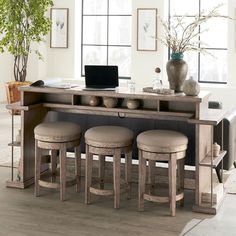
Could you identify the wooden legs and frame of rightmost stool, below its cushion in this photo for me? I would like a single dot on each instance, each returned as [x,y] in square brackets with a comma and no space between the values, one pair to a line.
[172,159]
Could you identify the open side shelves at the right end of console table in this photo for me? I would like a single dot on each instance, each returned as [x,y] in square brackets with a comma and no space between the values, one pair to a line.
[208,120]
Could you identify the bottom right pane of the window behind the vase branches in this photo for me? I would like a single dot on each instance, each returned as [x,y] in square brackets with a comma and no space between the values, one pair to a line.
[214,69]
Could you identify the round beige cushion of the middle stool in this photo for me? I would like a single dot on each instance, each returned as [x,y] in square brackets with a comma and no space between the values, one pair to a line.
[109,136]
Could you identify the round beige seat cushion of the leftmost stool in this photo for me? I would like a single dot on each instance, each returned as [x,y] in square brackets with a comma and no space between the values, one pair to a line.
[57,132]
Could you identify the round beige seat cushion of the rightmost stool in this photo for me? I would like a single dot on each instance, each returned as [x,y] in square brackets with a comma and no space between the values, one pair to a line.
[163,141]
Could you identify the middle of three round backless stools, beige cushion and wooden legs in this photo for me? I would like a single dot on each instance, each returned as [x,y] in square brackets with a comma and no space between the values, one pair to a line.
[102,141]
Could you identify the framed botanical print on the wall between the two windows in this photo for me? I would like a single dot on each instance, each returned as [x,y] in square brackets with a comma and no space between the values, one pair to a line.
[147,29]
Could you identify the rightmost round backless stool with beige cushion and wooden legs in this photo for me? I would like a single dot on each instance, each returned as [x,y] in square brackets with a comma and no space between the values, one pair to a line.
[162,145]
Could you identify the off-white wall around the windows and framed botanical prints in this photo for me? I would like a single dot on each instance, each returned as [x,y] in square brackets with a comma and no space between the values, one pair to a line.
[61,62]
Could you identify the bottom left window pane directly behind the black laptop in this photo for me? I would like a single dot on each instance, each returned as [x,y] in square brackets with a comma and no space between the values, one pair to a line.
[94,55]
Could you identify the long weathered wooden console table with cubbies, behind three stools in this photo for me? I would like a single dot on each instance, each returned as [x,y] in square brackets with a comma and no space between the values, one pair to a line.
[36,102]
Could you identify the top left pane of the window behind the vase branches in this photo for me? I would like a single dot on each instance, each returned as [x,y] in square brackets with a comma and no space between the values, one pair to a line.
[184,7]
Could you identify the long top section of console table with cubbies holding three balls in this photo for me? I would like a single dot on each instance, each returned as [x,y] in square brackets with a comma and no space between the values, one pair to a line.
[152,106]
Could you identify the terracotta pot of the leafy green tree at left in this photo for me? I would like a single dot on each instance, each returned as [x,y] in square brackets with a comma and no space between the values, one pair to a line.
[13,94]
